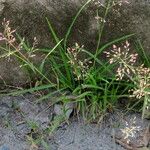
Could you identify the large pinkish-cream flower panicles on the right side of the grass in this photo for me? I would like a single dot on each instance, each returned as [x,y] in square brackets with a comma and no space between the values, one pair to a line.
[139,75]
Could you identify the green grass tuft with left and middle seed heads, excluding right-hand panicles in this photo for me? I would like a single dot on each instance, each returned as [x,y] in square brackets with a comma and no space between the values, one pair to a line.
[91,81]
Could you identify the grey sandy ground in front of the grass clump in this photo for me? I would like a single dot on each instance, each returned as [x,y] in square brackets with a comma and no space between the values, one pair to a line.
[20,116]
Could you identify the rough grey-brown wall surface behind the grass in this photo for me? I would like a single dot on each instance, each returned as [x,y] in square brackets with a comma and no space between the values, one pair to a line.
[28,17]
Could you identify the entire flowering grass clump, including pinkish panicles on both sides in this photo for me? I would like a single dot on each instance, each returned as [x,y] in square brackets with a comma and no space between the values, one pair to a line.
[94,87]
